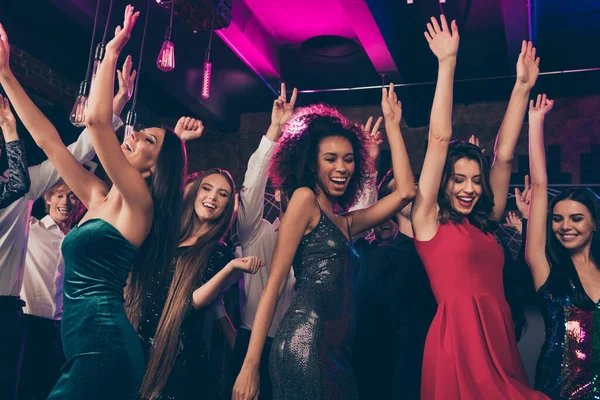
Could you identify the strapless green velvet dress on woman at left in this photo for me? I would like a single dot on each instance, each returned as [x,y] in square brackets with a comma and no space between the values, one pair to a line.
[104,358]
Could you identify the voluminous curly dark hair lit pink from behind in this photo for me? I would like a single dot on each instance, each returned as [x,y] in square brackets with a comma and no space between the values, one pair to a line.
[294,163]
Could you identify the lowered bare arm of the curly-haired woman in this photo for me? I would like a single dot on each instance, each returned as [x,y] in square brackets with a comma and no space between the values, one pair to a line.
[301,213]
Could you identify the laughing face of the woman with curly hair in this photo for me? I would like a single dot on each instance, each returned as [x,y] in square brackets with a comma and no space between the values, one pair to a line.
[335,165]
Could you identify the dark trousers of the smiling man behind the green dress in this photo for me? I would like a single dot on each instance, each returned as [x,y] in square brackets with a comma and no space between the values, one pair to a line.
[42,359]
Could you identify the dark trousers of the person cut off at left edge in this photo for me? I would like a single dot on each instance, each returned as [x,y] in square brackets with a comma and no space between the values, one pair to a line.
[12,332]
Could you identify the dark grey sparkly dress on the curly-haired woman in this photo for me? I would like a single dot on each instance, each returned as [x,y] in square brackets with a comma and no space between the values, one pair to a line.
[311,354]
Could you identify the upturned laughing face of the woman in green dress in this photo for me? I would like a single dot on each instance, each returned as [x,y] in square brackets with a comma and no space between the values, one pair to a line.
[142,148]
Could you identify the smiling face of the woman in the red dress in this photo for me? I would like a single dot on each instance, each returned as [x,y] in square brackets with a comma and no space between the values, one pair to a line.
[464,186]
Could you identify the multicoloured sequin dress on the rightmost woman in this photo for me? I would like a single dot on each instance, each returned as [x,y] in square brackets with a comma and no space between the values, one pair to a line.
[569,364]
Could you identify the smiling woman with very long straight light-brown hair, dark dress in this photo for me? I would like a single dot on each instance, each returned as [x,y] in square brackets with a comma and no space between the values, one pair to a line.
[168,303]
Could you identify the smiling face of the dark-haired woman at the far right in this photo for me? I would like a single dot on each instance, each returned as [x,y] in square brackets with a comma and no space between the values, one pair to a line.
[572,224]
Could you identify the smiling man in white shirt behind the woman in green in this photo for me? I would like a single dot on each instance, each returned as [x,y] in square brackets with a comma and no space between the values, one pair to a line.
[42,292]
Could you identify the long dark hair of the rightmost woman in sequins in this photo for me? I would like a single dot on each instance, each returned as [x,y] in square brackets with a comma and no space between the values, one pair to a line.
[564,279]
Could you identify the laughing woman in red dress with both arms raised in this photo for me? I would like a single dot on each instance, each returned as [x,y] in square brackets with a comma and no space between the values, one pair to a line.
[471,351]
